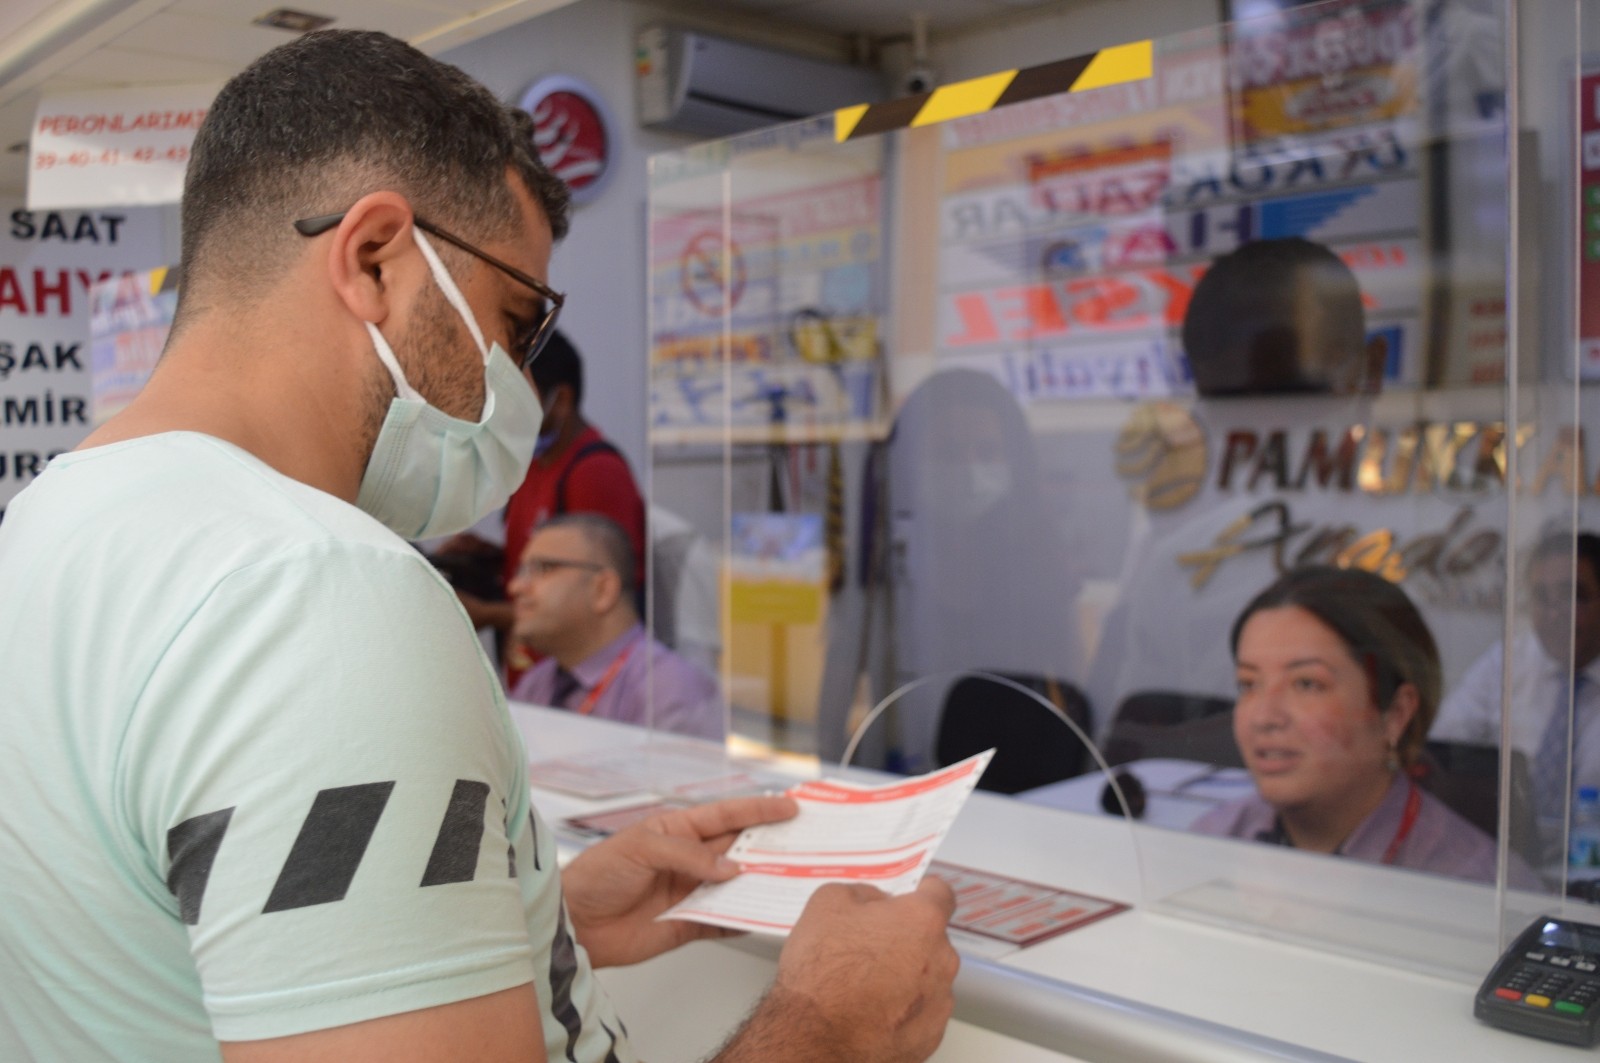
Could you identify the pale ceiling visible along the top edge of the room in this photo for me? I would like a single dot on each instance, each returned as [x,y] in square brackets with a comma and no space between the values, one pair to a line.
[70,46]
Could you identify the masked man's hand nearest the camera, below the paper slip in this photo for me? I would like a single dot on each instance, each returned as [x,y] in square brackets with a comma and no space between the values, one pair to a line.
[863,977]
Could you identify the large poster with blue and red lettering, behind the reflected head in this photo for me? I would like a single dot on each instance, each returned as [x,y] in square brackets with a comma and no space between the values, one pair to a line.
[1074,233]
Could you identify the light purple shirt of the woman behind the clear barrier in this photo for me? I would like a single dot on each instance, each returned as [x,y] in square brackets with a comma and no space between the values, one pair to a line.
[1439,841]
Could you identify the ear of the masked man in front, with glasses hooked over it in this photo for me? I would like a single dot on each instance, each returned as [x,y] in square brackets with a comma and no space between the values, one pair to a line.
[369,257]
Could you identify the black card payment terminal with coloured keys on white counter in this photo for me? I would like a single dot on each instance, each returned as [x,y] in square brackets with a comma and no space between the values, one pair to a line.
[1548,984]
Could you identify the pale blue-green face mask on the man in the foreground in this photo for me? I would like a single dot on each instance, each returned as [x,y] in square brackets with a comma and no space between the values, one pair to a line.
[436,475]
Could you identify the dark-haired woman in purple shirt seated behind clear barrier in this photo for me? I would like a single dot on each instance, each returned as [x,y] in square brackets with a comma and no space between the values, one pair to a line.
[1338,684]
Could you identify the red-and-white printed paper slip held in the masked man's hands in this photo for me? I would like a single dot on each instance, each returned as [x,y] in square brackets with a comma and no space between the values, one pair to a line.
[882,836]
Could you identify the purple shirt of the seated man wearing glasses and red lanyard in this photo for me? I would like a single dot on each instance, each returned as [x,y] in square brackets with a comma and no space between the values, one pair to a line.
[654,688]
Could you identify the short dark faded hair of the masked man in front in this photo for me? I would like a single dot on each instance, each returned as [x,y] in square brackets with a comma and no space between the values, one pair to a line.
[329,118]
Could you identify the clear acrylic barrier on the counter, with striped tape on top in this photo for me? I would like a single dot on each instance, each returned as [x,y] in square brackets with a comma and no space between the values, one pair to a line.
[1223,395]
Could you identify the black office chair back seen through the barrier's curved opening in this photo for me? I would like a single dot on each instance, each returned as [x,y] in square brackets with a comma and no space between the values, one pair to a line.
[1033,747]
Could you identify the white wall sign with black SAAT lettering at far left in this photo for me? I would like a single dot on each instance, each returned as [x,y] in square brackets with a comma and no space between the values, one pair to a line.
[50,263]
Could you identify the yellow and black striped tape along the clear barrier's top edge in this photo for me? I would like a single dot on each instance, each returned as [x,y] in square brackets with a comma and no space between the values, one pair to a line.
[1098,70]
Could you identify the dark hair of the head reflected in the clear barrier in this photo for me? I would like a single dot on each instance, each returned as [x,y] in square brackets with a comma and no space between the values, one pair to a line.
[1276,318]
